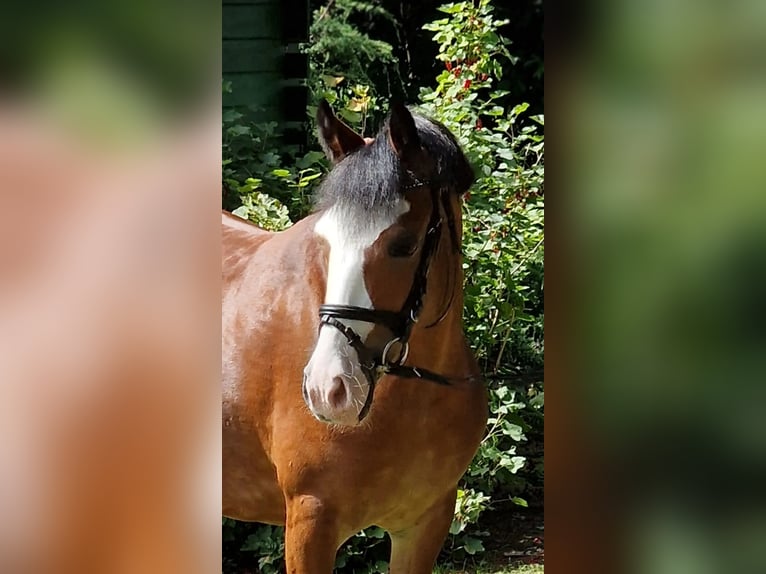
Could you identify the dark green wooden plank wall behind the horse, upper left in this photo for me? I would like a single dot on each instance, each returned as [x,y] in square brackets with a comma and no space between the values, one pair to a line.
[262,60]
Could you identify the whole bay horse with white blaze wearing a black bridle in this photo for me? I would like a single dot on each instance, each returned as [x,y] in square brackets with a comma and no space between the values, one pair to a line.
[361,301]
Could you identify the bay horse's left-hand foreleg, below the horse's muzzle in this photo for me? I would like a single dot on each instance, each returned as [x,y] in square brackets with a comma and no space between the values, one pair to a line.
[311,536]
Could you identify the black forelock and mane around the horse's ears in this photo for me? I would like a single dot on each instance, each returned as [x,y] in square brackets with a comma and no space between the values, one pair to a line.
[371,178]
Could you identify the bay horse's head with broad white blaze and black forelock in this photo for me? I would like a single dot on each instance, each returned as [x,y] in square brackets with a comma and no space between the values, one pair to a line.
[390,216]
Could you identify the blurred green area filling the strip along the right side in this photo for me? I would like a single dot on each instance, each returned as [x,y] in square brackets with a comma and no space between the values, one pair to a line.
[664,193]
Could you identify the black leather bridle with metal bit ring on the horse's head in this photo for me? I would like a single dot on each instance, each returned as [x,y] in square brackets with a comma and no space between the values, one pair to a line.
[374,365]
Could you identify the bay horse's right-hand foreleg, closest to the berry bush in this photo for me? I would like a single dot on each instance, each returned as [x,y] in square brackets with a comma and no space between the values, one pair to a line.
[414,551]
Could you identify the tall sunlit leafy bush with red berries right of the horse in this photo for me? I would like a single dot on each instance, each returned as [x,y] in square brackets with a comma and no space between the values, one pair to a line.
[503,246]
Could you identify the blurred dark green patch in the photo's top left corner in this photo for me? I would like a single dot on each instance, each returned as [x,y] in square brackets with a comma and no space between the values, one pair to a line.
[111,70]
